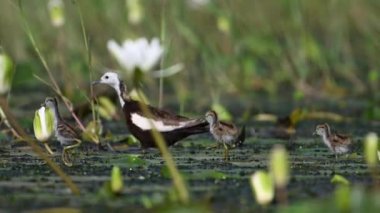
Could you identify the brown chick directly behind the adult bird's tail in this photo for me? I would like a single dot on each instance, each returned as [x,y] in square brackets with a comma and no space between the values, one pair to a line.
[225,133]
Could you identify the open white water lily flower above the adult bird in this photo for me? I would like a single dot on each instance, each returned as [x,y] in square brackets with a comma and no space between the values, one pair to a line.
[137,54]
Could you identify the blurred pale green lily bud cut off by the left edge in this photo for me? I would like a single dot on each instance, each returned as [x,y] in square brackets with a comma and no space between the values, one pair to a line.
[6,73]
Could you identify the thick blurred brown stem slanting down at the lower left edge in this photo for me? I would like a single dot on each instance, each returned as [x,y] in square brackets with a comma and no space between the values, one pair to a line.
[12,121]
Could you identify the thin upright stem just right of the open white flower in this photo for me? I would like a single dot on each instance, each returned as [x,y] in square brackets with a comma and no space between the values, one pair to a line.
[163,34]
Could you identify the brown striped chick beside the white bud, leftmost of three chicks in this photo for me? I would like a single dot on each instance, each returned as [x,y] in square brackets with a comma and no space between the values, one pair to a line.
[67,135]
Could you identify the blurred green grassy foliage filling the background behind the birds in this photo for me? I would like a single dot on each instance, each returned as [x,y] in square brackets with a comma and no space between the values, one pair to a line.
[325,49]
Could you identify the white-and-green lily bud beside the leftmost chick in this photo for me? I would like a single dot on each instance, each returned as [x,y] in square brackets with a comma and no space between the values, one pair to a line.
[43,124]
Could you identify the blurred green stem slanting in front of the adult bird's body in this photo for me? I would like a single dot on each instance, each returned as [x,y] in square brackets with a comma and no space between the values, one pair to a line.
[178,181]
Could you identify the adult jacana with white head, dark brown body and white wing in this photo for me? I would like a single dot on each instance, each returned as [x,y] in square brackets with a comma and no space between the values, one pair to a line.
[171,126]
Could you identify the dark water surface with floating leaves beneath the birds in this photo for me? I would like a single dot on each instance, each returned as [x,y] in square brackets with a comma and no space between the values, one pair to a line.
[27,183]
